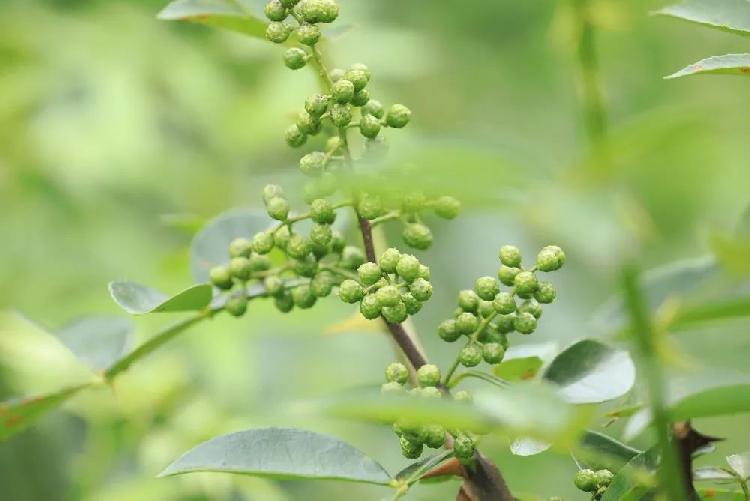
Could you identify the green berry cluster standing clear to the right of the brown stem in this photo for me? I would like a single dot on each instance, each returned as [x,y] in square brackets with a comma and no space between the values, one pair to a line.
[486,315]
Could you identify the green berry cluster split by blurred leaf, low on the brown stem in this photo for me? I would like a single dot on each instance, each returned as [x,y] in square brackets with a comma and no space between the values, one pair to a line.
[413,437]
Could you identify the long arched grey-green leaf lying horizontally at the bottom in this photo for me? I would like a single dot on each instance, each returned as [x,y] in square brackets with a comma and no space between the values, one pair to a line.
[281,452]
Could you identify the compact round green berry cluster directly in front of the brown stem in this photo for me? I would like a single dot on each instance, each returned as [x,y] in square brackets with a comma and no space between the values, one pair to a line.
[393,288]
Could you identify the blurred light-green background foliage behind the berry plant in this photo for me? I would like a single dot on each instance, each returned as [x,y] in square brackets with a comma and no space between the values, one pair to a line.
[114,125]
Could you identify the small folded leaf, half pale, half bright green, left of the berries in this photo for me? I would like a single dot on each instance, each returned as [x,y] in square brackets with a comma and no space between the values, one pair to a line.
[138,299]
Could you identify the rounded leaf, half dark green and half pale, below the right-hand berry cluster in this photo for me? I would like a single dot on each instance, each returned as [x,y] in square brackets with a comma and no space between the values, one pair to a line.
[590,372]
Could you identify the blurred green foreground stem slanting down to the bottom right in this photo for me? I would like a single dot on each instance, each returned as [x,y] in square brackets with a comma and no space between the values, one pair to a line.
[671,477]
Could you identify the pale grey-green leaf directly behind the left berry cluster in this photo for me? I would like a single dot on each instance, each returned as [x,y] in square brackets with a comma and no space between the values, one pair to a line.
[210,246]
